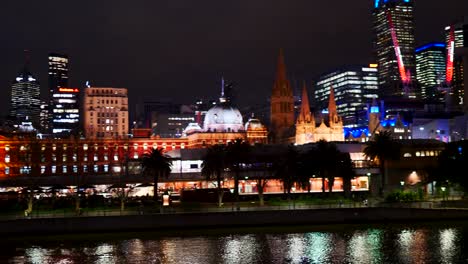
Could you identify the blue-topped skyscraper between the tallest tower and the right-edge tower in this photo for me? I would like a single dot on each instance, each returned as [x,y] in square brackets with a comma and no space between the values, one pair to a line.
[430,69]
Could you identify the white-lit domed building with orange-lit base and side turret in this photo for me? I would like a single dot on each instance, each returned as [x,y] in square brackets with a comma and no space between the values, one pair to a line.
[223,123]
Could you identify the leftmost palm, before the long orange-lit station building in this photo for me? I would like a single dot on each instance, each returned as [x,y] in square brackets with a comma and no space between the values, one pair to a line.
[158,165]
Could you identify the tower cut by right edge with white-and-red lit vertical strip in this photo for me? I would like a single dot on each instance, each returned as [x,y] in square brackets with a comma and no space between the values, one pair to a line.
[456,37]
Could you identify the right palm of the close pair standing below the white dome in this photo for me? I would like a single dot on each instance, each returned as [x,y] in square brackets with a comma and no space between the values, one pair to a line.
[237,154]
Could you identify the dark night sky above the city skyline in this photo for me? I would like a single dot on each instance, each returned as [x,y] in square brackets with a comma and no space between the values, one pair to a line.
[178,50]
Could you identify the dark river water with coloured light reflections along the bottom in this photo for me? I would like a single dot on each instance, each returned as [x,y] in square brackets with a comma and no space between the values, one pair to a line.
[395,243]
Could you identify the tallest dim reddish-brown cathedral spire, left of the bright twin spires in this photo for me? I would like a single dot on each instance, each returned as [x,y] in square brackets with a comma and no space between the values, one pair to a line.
[282,105]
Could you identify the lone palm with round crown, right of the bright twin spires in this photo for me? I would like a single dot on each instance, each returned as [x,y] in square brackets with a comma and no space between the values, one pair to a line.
[382,148]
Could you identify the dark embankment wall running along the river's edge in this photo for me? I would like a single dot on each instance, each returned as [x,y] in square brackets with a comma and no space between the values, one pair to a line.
[224,220]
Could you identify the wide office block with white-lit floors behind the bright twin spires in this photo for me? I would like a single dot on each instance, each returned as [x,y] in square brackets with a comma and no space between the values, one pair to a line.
[354,87]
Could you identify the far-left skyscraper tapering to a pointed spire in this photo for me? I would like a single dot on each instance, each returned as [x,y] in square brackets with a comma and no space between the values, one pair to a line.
[25,97]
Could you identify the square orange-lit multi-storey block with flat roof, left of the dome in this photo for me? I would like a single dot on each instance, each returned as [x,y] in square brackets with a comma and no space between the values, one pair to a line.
[106,112]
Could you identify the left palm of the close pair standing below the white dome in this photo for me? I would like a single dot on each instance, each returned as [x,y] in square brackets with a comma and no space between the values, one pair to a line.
[214,165]
